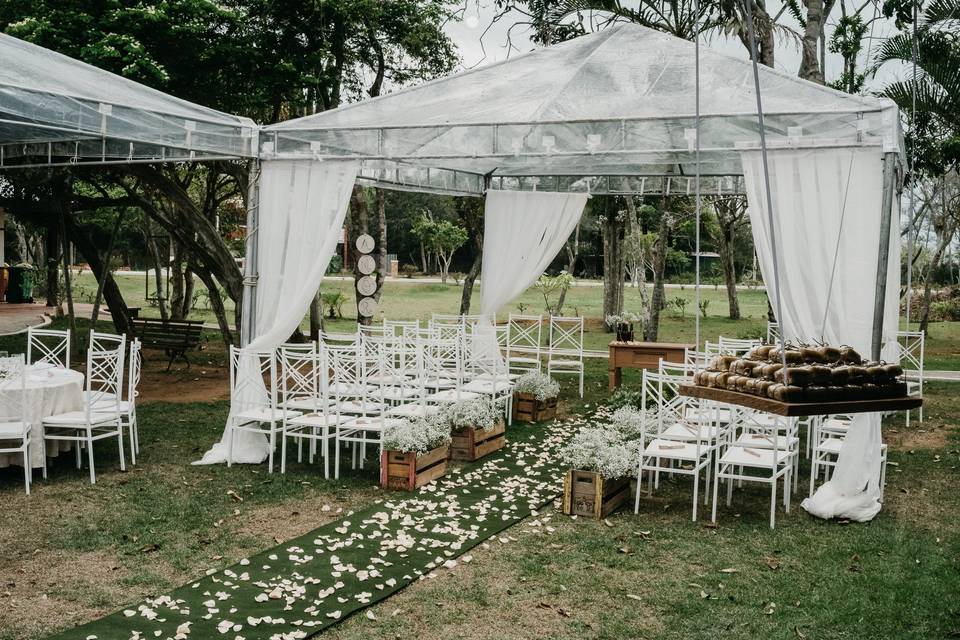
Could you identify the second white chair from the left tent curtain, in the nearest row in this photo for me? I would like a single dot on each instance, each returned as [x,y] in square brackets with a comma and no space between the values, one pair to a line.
[305,385]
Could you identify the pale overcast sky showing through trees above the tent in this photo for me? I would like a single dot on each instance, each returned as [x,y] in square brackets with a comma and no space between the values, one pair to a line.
[479,14]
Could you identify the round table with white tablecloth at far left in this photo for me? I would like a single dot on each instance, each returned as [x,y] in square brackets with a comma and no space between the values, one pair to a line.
[49,390]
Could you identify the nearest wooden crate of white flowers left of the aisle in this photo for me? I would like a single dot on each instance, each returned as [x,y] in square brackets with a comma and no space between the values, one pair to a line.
[414,453]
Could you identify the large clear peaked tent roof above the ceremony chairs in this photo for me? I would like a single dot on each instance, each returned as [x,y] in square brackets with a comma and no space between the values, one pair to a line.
[608,112]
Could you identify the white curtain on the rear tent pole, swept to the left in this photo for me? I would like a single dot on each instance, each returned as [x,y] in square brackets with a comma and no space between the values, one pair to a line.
[522,233]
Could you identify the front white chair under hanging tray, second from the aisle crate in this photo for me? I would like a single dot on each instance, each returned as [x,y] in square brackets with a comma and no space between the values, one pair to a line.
[767,460]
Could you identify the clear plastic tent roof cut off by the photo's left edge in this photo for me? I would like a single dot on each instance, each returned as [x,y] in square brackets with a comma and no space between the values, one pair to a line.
[57,110]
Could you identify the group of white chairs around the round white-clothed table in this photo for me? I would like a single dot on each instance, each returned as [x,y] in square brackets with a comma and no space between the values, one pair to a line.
[109,399]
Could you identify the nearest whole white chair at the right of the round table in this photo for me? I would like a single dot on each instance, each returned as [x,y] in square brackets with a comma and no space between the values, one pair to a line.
[100,417]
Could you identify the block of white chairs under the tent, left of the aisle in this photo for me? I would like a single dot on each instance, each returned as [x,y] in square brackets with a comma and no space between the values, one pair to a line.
[349,388]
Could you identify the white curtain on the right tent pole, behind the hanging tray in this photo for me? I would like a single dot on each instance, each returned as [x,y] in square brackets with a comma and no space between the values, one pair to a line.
[827,206]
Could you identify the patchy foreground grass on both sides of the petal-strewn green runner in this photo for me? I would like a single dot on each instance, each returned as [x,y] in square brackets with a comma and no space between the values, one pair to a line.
[72,552]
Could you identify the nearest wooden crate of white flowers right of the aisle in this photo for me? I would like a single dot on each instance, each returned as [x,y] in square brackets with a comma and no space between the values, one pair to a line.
[602,461]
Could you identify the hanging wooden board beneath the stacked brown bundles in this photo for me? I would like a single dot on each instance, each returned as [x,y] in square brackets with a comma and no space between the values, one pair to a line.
[768,405]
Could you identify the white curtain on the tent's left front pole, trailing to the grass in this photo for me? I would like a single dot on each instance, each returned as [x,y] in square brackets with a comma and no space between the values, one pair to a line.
[302,207]
